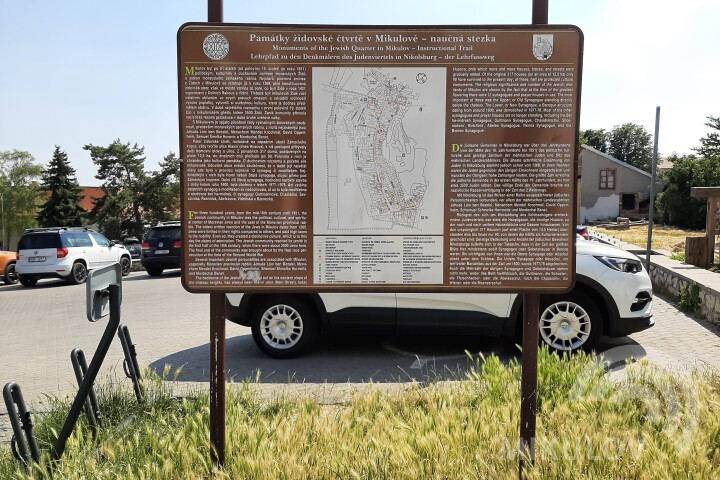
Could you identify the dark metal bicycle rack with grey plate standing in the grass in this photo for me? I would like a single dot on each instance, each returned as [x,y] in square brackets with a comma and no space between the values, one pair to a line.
[104,296]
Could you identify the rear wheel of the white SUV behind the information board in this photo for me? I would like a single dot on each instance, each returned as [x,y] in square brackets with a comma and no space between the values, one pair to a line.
[284,327]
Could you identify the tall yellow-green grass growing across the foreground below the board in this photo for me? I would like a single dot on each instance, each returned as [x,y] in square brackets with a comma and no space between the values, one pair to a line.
[652,425]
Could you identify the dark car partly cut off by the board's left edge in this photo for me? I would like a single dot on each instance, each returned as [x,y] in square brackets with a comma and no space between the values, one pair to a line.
[162,248]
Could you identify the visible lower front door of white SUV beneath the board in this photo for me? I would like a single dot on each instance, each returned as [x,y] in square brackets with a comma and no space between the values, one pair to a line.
[457,313]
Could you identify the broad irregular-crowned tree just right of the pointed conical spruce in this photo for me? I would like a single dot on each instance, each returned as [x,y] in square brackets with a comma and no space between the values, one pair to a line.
[121,167]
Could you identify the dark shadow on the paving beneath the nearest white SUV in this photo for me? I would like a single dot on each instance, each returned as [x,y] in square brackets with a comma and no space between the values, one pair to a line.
[366,360]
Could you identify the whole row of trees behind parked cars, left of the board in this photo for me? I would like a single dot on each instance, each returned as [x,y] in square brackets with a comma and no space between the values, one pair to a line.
[132,200]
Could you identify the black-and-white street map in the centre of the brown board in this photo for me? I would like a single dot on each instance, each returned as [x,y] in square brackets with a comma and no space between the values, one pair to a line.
[379,137]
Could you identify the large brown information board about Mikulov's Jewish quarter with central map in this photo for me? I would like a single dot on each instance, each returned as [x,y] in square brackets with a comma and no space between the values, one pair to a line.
[422,159]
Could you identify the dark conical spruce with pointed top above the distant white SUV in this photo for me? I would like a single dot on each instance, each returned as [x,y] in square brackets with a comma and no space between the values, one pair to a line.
[62,208]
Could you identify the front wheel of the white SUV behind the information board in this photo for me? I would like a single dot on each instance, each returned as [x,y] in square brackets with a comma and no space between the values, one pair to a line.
[570,322]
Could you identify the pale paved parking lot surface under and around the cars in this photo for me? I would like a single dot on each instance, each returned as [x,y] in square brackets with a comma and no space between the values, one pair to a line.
[41,325]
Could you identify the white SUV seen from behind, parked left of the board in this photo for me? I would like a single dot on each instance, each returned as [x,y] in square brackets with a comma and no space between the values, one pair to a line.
[67,253]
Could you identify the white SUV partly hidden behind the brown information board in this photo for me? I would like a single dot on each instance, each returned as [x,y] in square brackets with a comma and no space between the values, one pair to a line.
[612,296]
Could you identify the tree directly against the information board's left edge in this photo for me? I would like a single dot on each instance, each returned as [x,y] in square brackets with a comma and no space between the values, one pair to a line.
[161,192]
